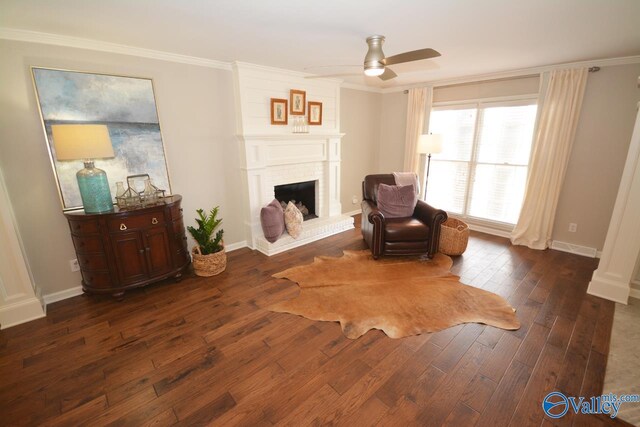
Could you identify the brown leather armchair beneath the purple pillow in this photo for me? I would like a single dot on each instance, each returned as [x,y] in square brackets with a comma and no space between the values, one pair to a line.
[415,235]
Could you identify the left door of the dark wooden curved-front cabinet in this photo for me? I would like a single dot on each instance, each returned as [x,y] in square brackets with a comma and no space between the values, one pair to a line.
[130,253]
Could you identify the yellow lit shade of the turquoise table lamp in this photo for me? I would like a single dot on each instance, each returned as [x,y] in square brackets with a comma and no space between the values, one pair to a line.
[74,142]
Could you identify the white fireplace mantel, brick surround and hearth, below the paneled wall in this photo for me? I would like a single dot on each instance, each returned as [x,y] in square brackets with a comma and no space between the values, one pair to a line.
[270,160]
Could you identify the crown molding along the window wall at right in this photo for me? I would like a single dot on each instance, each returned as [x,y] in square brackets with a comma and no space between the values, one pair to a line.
[521,72]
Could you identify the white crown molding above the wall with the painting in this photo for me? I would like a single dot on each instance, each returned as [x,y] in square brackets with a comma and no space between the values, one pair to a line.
[89,44]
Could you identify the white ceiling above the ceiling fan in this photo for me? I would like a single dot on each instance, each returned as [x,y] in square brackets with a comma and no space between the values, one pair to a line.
[473,36]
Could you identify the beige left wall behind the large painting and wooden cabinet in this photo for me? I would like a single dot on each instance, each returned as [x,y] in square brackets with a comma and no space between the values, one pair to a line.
[196,110]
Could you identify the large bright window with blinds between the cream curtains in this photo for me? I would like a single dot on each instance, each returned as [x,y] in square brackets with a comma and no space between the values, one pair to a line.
[482,170]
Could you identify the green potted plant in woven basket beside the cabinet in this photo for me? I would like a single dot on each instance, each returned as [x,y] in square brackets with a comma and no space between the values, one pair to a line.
[209,257]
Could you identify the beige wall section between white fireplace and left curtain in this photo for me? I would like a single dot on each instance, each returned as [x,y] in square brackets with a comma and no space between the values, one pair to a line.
[360,114]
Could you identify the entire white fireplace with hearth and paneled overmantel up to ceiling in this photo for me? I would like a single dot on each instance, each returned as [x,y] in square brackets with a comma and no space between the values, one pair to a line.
[274,155]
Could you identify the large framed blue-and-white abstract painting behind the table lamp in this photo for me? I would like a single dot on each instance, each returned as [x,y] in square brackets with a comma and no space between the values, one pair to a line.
[126,105]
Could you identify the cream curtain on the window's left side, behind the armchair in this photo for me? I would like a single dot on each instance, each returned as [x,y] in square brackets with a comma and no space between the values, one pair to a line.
[418,106]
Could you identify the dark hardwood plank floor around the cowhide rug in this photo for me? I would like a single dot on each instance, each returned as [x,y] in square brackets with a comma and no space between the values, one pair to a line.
[205,351]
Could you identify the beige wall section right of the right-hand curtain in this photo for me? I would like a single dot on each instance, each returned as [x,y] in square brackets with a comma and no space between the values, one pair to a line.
[598,155]
